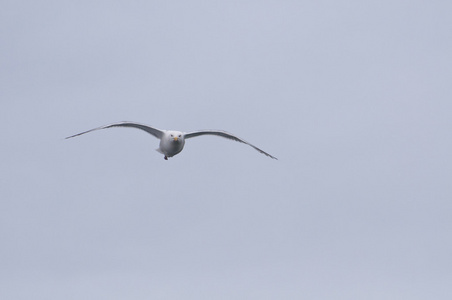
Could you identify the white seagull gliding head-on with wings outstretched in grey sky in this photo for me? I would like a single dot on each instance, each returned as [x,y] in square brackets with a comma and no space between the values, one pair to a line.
[172,142]
